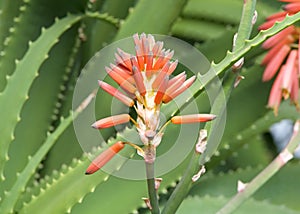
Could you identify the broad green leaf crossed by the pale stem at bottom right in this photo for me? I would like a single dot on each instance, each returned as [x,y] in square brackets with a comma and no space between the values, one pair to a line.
[275,190]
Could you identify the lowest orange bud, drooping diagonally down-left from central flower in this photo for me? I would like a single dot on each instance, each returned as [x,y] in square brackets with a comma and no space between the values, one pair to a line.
[104,157]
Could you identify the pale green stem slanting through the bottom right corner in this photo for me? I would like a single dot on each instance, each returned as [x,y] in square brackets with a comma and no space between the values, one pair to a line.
[266,174]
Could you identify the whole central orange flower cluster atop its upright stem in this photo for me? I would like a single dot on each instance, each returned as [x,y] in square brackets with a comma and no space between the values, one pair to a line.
[147,82]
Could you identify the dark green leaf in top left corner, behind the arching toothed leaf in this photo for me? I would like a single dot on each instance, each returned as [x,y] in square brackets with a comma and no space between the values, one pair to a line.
[32,17]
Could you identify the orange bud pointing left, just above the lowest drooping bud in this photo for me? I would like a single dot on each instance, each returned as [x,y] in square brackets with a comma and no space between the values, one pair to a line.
[111,121]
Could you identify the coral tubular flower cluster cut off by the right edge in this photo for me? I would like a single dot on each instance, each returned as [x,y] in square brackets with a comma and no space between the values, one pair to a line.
[283,58]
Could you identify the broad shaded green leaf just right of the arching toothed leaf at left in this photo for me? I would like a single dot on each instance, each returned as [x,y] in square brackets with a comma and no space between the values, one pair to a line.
[43,95]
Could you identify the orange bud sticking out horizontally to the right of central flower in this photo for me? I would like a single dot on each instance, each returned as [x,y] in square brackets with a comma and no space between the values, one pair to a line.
[192,118]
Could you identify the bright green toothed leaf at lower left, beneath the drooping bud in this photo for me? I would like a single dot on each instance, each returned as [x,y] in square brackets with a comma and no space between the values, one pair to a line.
[72,180]
